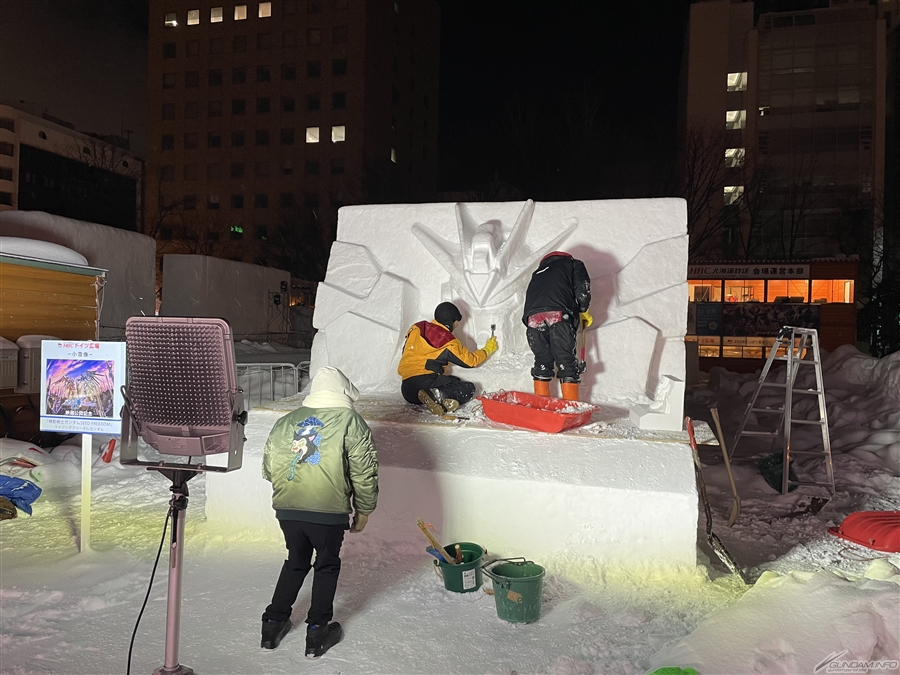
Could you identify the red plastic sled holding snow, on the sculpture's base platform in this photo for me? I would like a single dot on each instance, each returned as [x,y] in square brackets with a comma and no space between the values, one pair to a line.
[540,413]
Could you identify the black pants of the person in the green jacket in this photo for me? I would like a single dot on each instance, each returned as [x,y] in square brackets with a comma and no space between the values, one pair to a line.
[301,539]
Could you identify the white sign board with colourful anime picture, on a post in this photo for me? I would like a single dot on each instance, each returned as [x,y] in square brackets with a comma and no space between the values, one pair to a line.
[81,392]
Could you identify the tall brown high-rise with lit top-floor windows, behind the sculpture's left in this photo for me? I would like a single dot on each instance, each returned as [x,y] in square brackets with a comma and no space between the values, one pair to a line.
[266,117]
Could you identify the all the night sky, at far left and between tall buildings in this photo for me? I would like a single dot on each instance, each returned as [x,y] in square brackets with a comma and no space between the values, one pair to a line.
[494,53]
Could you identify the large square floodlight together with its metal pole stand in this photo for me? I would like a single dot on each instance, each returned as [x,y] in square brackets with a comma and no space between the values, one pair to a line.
[183,401]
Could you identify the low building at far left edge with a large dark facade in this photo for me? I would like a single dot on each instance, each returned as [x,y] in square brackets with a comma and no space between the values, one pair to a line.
[46,165]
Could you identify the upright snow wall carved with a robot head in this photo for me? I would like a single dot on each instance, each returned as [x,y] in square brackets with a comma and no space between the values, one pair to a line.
[392,264]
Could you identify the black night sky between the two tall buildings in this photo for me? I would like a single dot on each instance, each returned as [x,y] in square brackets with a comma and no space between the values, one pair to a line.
[493,53]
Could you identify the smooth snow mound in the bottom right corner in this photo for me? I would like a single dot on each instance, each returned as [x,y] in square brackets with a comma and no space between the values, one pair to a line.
[798,622]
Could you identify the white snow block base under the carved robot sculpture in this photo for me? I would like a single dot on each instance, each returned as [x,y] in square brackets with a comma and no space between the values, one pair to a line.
[516,493]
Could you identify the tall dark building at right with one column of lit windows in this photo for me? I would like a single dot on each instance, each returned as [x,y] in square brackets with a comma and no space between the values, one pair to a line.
[784,108]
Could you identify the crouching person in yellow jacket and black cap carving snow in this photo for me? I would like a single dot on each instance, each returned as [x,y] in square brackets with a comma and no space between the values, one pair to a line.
[429,348]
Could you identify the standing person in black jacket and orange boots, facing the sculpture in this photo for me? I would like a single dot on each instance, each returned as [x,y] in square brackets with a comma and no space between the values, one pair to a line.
[557,300]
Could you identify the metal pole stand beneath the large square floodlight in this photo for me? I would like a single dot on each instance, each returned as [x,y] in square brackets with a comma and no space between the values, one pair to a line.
[177,507]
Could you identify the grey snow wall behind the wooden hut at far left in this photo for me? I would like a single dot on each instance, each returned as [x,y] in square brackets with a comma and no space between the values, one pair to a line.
[129,257]
